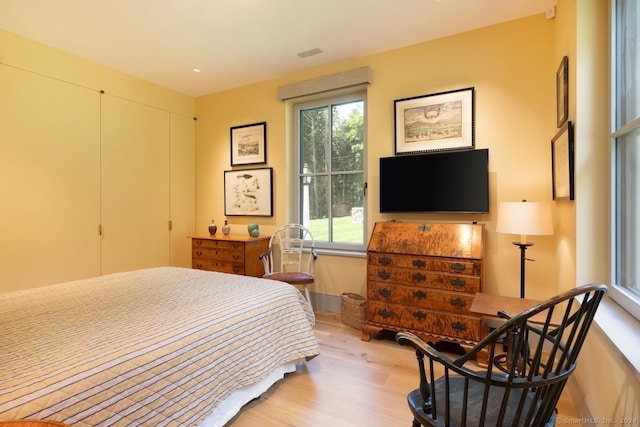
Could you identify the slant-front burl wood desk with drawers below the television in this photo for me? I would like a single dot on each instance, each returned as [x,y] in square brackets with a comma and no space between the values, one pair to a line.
[422,278]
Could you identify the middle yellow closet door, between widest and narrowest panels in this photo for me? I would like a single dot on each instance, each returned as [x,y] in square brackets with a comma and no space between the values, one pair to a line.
[135,151]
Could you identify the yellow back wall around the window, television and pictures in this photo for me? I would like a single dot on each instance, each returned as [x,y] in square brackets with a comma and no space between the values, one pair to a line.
[513,71]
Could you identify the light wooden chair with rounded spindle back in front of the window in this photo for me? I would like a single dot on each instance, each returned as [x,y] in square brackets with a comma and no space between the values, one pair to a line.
[284,260]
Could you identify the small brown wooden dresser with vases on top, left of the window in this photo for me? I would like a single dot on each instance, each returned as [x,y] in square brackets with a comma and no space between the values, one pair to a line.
[235,253]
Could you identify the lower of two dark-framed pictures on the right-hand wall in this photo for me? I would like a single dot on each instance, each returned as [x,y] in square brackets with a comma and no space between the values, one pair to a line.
[562,163]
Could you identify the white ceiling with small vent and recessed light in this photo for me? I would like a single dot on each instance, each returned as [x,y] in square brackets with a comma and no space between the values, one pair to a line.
[239,42]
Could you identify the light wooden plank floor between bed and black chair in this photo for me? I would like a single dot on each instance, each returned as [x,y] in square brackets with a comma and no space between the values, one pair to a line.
[352,383]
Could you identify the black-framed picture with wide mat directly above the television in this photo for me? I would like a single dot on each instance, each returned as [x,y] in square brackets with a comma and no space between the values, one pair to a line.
[440,121]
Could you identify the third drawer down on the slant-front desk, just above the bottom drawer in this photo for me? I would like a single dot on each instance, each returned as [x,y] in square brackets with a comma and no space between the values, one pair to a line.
[419,297]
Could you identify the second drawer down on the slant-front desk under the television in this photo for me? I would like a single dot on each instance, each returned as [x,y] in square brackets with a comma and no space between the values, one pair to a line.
[424,278]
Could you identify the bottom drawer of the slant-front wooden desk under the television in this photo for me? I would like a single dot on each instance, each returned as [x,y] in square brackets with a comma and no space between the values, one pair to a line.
[465,327]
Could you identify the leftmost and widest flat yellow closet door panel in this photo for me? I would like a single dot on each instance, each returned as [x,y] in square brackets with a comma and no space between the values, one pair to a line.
[49,180]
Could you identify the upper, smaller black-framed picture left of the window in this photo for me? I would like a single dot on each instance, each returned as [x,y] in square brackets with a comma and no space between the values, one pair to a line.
[249,144]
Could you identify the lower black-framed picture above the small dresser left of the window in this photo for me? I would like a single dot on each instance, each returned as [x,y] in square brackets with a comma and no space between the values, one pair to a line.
[248,192]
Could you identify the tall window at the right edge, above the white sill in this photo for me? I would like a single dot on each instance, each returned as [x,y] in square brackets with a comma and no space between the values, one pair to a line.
[626,151]
